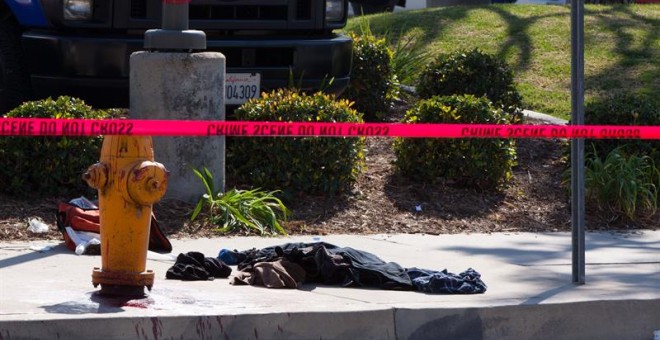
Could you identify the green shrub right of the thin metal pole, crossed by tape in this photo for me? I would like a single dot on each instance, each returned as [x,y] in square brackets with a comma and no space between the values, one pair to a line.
[624,109]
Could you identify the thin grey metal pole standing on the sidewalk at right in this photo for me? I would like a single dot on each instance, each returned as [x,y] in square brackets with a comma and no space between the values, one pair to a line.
[577,145]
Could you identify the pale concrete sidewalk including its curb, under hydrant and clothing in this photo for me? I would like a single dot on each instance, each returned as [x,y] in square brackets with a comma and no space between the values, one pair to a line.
[49,294]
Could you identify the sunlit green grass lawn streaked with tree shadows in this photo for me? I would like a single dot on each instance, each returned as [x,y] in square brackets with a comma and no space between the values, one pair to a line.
[622,45]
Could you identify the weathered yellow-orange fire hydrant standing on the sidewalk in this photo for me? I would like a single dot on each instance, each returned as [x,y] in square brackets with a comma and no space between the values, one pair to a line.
[129,182]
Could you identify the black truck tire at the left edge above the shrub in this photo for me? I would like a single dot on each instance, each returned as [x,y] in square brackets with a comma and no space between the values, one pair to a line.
[14,81]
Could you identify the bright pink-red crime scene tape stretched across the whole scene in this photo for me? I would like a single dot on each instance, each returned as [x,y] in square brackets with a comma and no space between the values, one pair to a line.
[95,127]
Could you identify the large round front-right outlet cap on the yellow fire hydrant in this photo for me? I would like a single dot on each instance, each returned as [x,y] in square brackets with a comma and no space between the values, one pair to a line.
[147,182]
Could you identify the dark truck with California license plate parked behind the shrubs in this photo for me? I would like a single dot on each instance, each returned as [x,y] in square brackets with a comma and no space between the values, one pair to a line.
[82,47]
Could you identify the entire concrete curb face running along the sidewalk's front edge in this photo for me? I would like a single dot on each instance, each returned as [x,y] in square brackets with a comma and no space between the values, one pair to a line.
[620,319]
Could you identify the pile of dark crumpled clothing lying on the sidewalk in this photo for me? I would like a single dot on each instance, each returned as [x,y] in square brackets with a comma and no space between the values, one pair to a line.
[292,264]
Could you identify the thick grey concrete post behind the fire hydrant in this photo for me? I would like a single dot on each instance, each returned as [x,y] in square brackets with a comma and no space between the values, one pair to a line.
[182,86]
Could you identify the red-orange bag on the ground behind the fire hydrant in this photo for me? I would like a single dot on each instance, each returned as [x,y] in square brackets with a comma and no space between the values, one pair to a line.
[79,219]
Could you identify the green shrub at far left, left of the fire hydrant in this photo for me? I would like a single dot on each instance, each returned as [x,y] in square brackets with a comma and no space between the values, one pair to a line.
[48,165]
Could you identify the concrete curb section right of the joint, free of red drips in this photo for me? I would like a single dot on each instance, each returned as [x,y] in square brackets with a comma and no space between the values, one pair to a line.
[621,319]
